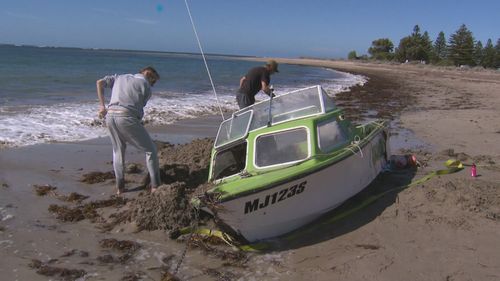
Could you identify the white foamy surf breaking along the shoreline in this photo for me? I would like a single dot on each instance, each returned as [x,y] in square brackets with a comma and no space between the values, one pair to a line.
[27,125]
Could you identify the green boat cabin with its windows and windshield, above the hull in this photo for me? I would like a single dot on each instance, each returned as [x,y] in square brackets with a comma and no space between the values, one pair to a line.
[276,133]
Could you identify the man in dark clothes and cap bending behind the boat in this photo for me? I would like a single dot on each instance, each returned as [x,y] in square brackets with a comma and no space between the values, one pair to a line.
[257,79]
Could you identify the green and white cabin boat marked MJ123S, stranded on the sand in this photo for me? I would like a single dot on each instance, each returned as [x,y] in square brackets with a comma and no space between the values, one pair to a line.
[283,162]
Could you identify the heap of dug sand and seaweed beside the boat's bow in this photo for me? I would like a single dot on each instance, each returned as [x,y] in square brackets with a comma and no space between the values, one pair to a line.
[184,171]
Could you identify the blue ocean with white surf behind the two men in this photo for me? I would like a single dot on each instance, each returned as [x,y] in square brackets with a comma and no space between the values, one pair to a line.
[49,94]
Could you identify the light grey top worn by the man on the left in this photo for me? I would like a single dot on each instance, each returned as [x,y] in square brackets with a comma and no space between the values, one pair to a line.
[129,91]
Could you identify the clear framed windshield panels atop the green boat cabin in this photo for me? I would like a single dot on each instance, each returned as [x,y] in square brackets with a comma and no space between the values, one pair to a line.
[293,105]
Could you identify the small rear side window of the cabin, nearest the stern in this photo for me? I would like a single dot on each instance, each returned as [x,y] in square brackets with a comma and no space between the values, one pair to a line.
[330,135]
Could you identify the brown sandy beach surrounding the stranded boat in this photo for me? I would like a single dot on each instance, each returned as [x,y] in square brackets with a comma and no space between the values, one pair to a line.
[445,229]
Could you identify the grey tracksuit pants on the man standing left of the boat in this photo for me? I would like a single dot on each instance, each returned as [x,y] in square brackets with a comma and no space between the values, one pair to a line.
[125,129]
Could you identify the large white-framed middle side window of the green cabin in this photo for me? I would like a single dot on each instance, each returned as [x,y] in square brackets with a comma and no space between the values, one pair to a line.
[281,147]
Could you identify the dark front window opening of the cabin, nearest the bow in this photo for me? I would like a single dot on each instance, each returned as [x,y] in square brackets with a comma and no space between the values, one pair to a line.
[230,161]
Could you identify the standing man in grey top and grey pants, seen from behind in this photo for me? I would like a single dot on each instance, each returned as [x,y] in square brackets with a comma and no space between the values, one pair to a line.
[129,95]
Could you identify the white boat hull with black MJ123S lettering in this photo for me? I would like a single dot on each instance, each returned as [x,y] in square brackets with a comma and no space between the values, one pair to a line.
[280,209]
